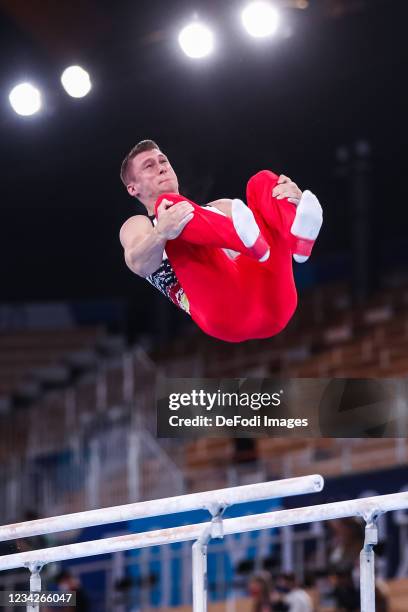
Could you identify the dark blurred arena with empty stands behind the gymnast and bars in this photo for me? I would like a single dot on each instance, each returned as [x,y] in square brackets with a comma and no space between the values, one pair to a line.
[83,340]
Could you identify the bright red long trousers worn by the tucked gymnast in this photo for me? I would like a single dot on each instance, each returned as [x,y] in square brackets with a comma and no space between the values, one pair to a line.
[241,299]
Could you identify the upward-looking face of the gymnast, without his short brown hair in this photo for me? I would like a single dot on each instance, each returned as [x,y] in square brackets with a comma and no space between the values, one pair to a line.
[152,175]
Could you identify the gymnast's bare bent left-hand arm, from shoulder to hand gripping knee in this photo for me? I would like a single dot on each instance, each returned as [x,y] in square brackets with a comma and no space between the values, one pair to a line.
[144,244]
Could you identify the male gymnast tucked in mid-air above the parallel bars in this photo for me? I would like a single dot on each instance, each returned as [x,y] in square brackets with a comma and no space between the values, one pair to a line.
[227,264]
